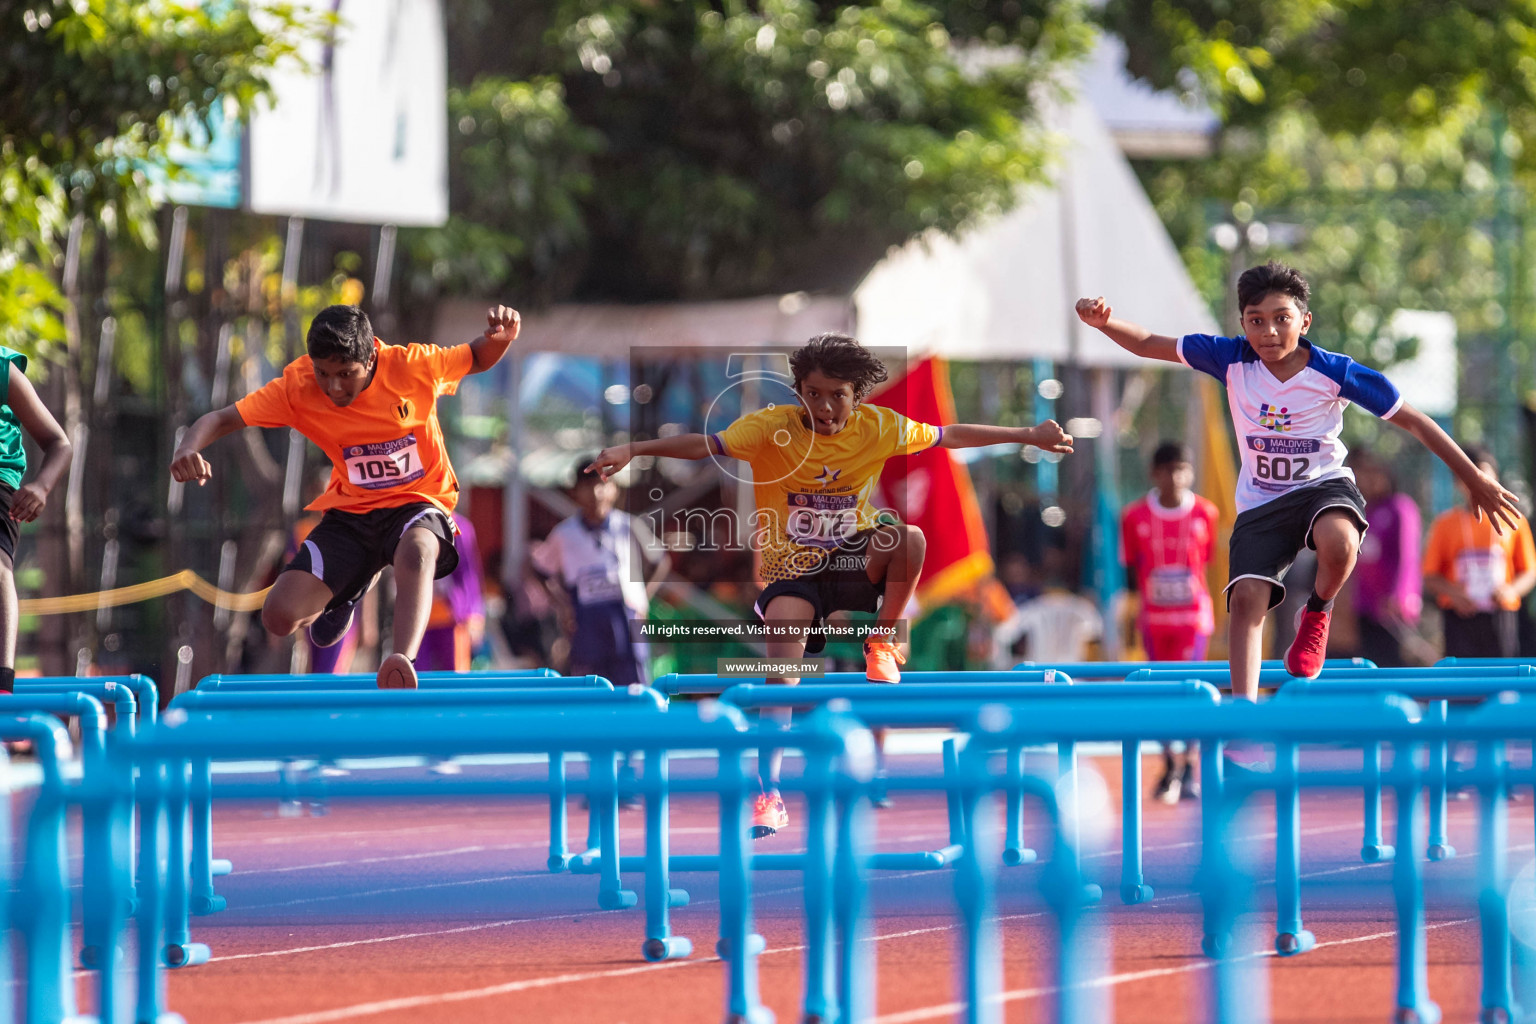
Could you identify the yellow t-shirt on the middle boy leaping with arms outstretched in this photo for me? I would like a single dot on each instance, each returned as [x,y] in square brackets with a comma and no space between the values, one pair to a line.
[813,491]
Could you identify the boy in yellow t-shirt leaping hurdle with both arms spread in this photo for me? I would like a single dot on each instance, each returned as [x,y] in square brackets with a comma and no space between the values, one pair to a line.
[826,547]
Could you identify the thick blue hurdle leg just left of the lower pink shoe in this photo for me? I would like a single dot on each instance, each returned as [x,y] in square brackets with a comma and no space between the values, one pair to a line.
[740,946]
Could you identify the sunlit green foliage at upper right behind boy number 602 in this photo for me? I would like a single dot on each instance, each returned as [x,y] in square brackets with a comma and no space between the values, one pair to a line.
[1383,147]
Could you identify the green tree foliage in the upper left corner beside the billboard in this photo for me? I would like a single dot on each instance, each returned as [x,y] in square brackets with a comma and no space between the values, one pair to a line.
[90,93]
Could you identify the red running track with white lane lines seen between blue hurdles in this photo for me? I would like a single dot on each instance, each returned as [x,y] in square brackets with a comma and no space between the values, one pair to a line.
[392,913]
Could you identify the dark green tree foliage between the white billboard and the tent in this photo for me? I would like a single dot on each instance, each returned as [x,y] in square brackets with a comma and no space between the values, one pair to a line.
[643,151]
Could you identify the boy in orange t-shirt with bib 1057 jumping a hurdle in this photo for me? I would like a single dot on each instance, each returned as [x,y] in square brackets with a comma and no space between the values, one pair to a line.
[374,411]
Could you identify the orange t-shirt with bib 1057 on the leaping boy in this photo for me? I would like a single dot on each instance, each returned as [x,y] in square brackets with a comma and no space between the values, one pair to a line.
[386,448]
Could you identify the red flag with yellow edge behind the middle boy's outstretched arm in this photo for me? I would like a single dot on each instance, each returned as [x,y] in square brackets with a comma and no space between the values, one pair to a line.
[933,491]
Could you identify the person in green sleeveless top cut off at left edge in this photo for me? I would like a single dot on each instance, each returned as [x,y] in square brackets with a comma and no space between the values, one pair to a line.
[21,409]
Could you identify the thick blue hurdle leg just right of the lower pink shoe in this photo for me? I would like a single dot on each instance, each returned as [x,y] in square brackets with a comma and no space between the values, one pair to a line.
[821,864]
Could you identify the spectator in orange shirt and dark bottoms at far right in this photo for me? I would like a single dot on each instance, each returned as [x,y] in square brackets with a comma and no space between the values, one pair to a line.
[1480,576]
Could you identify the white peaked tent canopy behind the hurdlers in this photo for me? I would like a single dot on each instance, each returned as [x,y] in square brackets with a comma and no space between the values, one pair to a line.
[1005,291]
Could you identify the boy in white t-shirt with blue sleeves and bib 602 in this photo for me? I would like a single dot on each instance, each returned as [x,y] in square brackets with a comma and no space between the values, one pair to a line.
[1288,400]
